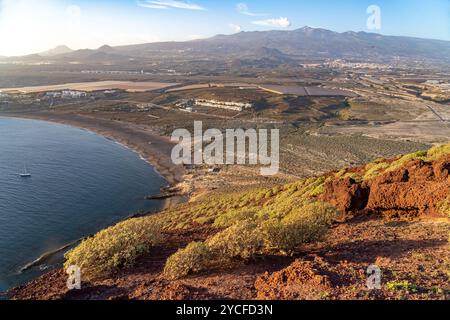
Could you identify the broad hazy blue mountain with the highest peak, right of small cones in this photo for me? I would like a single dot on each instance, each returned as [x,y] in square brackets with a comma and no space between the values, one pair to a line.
[303,43]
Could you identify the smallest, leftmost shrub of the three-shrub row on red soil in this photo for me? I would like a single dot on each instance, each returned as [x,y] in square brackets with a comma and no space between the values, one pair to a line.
[194,258]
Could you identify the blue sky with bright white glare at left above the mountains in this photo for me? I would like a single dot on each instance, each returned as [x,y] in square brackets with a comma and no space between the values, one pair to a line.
[32,26]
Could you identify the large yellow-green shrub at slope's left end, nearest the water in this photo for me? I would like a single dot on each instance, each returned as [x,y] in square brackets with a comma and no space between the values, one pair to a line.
[114,248]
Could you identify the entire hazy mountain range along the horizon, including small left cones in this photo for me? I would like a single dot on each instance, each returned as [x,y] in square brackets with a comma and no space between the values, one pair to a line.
[269,46]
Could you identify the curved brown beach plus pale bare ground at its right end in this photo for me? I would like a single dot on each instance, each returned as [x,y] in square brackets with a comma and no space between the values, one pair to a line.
[157,151]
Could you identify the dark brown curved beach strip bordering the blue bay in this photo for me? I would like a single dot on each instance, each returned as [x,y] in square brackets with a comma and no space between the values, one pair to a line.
[152,147]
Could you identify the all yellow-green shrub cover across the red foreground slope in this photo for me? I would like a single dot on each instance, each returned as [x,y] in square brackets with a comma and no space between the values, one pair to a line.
[261,221]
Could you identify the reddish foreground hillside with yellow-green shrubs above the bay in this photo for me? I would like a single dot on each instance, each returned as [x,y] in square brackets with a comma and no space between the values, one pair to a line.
[312,239]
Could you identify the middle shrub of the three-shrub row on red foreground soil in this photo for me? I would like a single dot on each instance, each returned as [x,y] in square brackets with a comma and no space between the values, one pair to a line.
[242,240]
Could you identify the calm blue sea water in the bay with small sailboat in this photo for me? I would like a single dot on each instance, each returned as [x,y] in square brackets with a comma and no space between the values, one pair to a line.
[81,183]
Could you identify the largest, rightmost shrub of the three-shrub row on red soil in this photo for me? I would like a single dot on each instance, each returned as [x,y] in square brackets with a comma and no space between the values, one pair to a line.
[304,225]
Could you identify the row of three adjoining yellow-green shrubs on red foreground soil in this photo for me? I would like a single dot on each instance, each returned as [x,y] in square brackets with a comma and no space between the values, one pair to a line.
[246,239]
